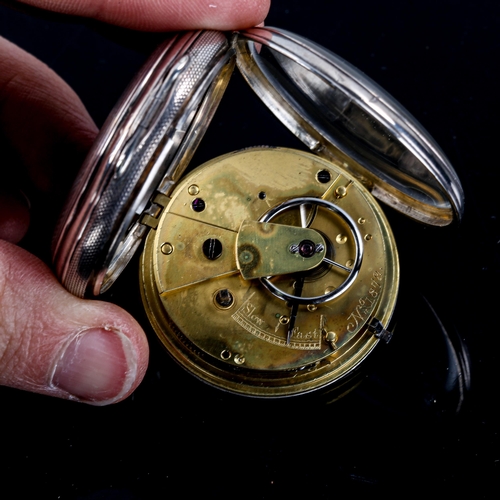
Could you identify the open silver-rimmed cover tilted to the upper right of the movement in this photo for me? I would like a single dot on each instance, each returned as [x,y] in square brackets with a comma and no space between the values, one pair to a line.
[342,114]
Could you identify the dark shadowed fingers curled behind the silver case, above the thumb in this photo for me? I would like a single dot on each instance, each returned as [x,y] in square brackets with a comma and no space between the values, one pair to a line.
[45,132]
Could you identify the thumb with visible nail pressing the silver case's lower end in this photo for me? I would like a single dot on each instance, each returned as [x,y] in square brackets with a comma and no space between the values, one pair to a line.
[54,343]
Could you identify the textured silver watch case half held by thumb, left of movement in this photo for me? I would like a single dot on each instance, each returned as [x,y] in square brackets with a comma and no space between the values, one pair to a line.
[144,146]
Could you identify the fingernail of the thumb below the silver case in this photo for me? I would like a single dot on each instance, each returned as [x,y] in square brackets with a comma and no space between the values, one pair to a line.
[97,366]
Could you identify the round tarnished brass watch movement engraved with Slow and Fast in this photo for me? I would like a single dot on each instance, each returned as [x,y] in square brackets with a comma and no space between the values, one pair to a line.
[231,331]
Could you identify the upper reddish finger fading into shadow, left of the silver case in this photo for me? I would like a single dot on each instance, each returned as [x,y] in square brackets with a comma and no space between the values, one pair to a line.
[41,118]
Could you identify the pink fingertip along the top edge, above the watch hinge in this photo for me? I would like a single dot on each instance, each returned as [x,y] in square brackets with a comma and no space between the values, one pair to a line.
[165,15]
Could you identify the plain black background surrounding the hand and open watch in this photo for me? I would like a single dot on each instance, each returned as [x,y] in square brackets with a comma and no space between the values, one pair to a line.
[398,433]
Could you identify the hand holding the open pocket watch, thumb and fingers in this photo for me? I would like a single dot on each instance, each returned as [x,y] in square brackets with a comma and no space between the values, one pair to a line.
[50,341]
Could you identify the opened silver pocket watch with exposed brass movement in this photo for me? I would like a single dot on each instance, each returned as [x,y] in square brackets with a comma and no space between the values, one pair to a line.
[266,272]
